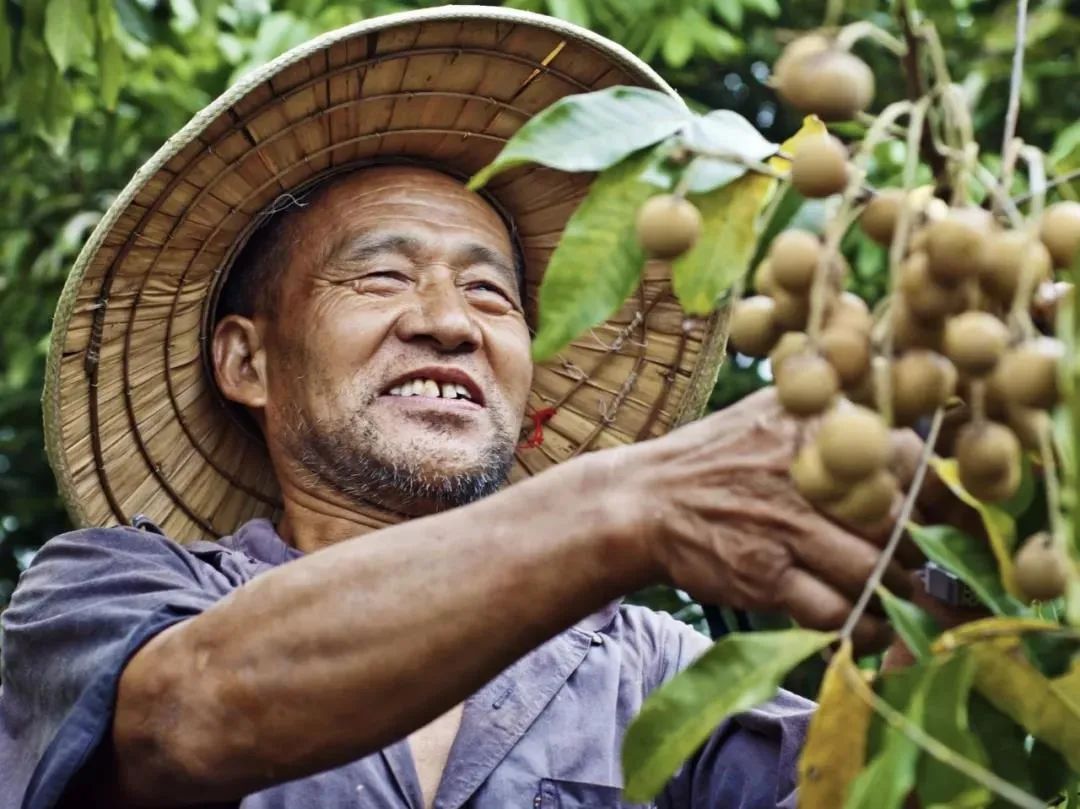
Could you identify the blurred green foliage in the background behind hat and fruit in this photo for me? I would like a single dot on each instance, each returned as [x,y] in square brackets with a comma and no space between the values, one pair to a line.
[90,89]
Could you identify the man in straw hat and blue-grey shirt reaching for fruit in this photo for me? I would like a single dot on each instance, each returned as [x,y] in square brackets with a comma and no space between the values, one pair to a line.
[372,341]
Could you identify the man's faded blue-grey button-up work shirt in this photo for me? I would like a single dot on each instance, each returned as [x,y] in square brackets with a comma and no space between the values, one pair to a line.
[544,735]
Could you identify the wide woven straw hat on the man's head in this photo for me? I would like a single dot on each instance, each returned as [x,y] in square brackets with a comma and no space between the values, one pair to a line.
[133,422]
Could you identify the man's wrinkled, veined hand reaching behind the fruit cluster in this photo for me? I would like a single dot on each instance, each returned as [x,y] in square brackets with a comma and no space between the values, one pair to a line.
[731,528]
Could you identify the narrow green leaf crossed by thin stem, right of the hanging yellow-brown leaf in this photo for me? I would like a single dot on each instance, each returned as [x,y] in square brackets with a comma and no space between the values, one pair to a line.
[947,720]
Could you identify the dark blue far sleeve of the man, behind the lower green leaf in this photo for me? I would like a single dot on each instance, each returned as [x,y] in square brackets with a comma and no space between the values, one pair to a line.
[751,761]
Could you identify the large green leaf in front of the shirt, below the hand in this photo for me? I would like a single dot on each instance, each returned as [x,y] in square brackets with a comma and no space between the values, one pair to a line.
[738,673]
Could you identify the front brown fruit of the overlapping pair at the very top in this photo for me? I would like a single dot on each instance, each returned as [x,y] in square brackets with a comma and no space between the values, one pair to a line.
[833,85]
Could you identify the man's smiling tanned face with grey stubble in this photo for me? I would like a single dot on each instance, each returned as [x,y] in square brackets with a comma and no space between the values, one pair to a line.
[398,355]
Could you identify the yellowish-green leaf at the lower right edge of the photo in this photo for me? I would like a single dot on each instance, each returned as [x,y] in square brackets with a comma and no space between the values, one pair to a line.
[1049,710]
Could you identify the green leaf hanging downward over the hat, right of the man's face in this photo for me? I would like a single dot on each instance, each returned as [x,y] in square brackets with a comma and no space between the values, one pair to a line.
[598,262]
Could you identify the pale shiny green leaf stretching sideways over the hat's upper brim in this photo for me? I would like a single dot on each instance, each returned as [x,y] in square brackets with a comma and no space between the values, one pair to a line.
[591,131]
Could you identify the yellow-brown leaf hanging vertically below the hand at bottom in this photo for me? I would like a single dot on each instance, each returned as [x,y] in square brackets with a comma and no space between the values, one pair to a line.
[835,749]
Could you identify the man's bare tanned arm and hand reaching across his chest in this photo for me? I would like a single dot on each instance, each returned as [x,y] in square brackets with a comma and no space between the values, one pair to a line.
[336,655]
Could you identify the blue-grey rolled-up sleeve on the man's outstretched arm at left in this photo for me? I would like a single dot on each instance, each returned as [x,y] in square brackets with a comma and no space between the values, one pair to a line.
[89,602]
